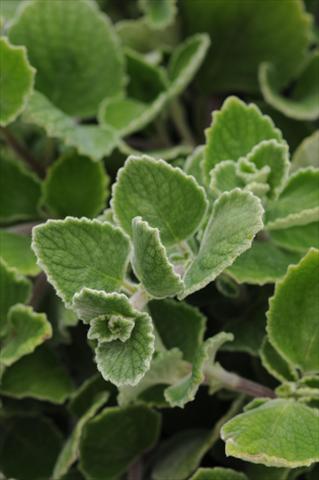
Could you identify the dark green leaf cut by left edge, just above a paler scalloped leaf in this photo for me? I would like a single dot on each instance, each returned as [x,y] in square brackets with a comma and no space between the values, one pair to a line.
[14,289]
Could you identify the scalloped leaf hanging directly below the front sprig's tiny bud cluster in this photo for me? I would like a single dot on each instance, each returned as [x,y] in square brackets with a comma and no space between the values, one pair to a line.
[125,363]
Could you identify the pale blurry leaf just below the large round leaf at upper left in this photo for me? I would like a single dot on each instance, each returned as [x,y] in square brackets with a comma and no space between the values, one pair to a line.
[89,140]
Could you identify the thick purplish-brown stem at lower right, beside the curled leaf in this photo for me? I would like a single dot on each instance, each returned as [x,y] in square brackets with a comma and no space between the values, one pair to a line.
[232,381]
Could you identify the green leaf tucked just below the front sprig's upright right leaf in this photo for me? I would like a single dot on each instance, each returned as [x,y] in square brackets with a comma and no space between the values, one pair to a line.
[263,263]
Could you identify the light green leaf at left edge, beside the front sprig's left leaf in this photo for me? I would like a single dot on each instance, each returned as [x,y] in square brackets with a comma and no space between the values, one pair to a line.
[16,252]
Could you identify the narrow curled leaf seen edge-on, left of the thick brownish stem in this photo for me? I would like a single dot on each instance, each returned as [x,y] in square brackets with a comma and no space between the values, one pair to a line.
[185,390]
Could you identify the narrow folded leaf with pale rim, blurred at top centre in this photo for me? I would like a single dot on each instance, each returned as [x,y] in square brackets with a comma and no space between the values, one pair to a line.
[186,61]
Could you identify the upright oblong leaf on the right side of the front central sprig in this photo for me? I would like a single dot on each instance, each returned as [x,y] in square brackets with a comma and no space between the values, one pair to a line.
[234,221]
